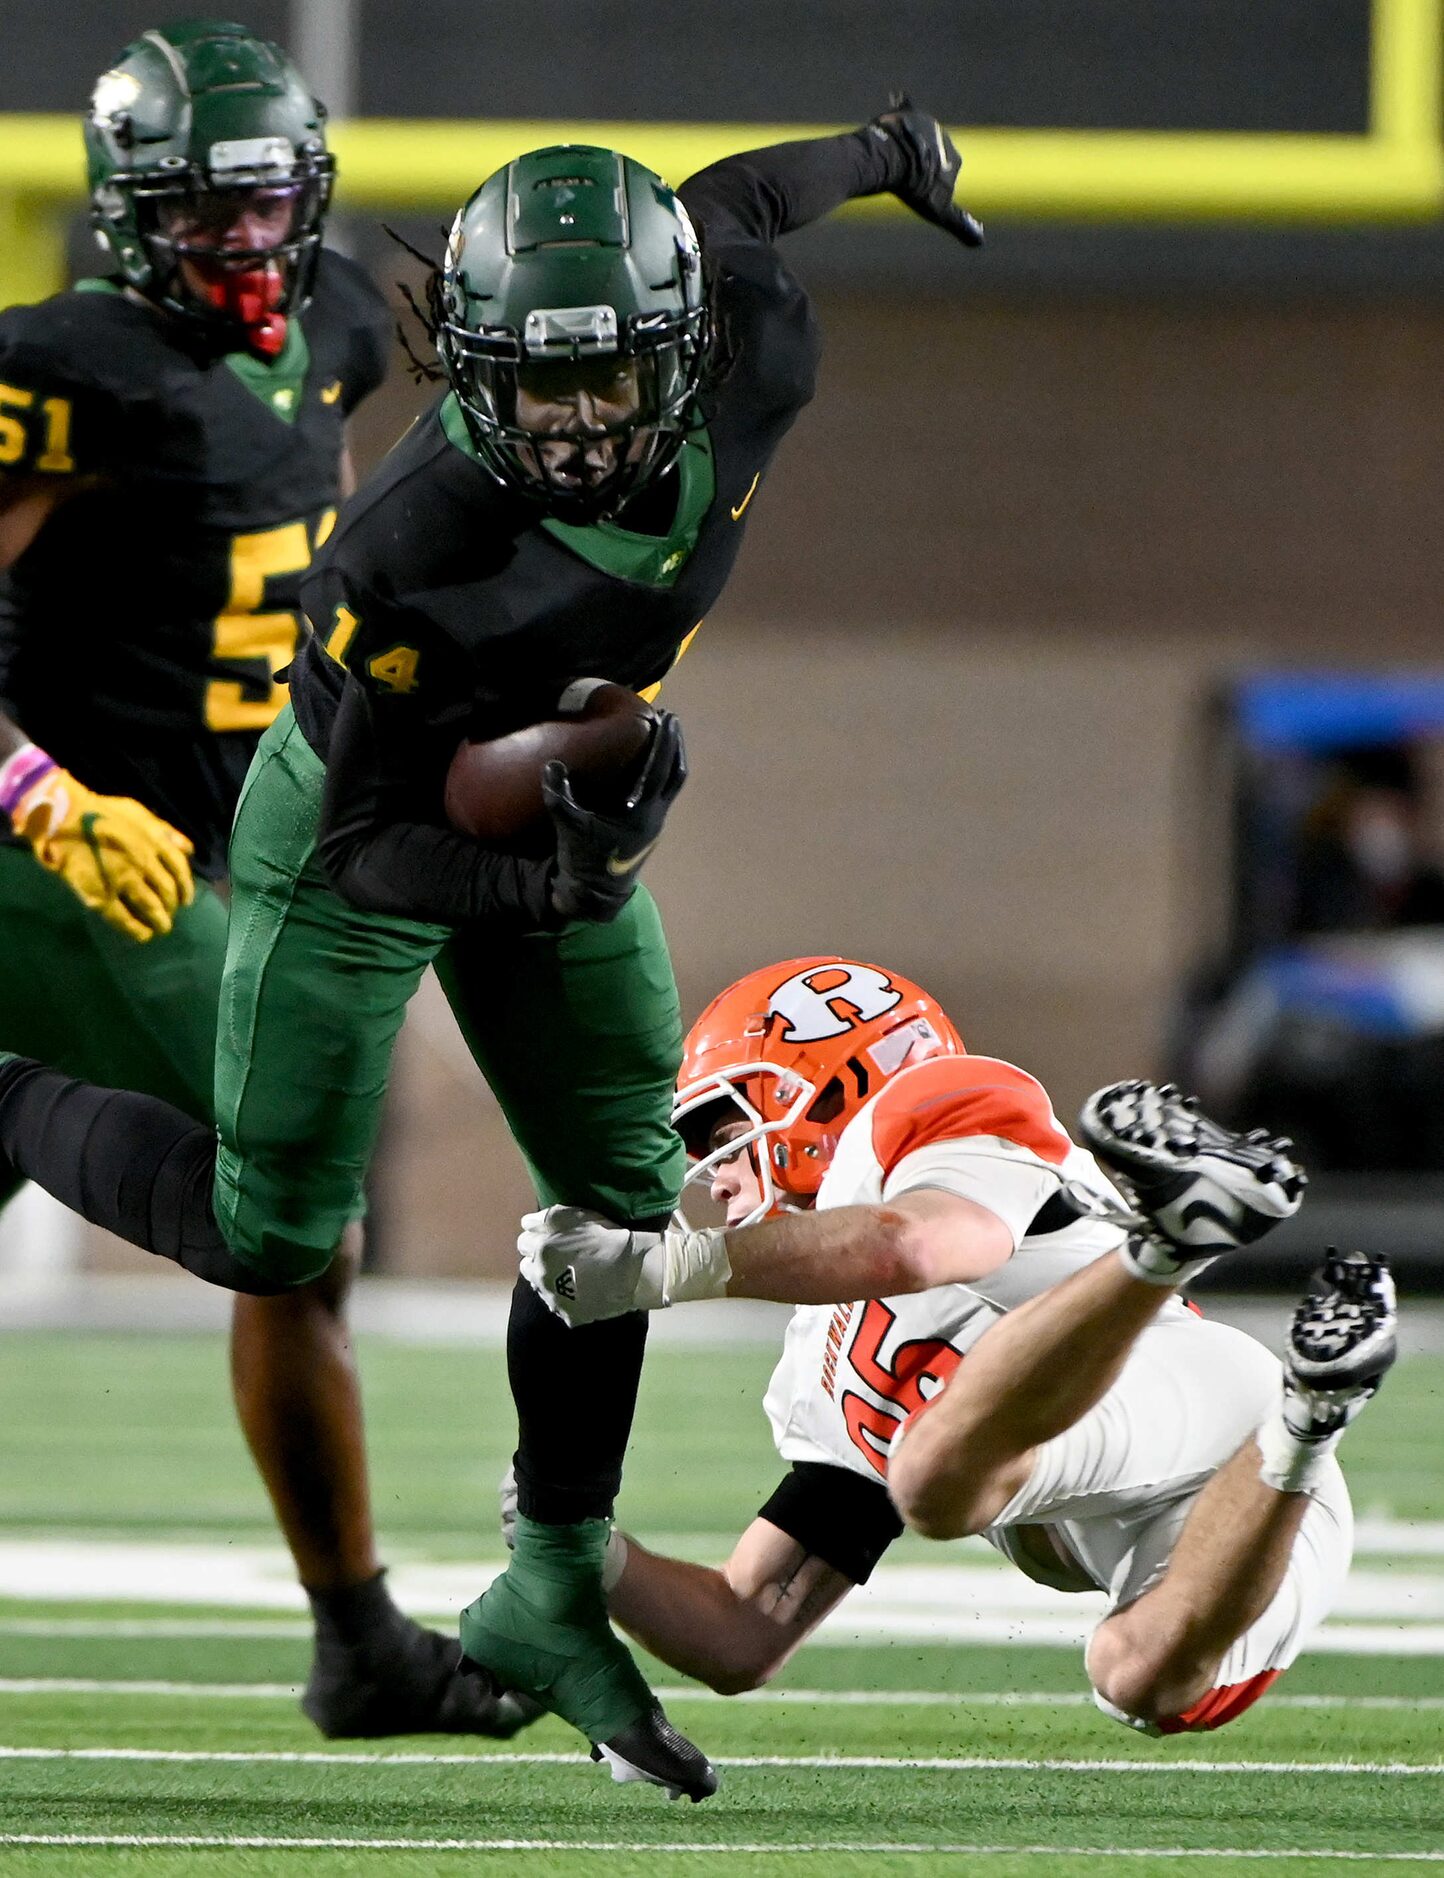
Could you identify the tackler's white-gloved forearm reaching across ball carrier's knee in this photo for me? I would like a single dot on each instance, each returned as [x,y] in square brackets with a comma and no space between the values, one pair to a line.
[587,1269]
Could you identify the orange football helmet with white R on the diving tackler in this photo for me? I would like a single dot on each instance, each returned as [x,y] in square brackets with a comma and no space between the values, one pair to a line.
[793,1053]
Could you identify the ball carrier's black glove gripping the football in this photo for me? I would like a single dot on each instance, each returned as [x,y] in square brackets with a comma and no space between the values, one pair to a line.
[598,854]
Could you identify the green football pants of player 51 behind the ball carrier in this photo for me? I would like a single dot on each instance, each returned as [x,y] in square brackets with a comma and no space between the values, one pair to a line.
[85,1000]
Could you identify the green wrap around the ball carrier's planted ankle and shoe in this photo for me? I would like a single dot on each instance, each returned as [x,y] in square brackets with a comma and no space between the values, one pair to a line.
[544,1629]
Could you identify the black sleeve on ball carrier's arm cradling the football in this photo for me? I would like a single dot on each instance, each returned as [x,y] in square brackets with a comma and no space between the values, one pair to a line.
[382,857]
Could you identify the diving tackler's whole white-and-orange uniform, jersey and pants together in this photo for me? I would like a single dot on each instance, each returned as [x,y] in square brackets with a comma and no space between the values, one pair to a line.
[1116,1488]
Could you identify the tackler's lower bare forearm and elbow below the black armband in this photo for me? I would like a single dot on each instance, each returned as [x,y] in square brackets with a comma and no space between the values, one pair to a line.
[735,1627]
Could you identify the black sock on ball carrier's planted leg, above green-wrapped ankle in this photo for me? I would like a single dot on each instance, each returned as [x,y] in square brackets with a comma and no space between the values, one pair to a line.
[576,1394]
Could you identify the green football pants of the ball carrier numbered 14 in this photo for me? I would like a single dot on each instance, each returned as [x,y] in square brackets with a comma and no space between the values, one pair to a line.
[579,1034]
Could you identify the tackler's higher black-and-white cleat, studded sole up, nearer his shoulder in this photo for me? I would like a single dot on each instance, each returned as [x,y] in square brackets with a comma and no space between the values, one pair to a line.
[1203,1190]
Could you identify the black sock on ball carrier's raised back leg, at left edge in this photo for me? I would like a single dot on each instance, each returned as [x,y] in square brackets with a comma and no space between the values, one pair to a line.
[123,1162]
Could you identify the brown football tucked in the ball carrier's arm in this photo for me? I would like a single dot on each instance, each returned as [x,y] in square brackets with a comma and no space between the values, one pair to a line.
[495,790]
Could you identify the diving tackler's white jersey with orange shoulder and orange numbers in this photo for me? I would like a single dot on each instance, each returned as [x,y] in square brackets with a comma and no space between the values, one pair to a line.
[852,1374]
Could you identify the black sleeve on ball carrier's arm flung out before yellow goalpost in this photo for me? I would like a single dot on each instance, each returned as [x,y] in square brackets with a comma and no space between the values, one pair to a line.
[763,194]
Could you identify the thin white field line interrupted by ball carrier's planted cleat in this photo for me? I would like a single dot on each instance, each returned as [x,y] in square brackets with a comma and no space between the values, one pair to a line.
[814,1763]
